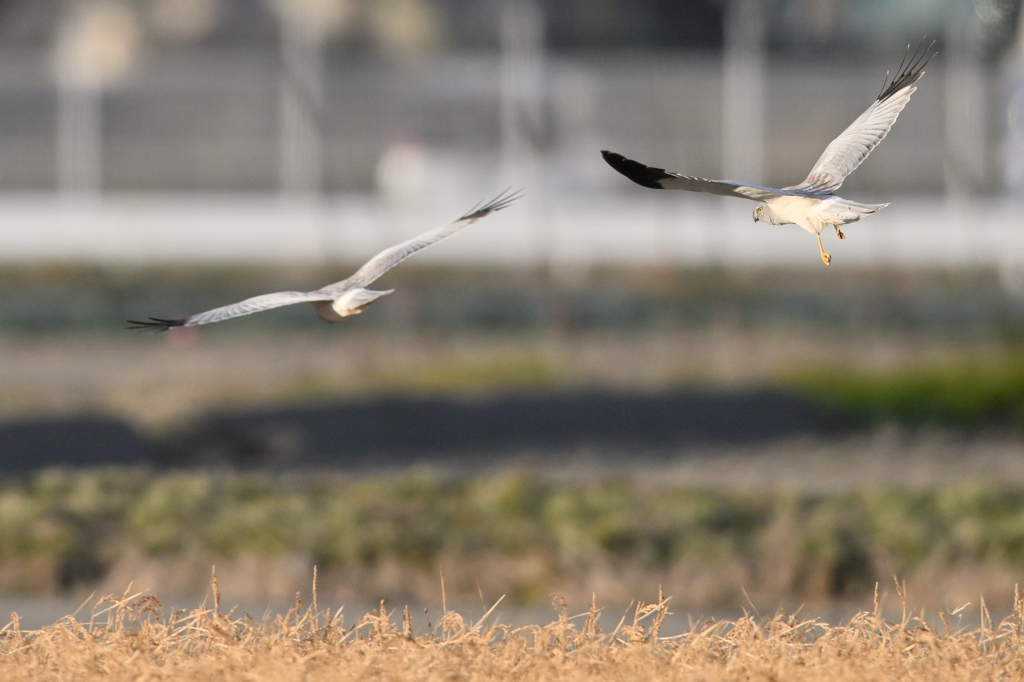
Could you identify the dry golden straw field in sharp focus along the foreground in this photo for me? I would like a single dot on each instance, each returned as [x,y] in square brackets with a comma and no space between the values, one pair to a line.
[133,638]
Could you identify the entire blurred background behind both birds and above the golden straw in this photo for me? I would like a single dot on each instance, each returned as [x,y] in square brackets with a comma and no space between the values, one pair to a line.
[602,390]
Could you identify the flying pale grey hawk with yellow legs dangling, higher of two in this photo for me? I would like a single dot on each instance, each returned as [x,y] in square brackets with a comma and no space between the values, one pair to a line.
[813,204]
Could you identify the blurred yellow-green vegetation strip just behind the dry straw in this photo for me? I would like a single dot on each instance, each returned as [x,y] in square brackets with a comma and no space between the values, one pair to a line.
[833,544]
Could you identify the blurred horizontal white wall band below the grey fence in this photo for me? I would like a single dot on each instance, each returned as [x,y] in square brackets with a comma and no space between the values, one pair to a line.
[641,227]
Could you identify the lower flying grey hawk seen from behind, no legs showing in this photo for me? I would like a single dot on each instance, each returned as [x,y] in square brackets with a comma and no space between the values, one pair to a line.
[349,297]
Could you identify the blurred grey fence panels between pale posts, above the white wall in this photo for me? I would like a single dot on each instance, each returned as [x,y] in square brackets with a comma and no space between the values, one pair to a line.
[215,123]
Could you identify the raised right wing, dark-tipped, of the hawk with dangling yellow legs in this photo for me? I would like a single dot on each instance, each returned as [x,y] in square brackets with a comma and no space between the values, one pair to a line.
[849,150]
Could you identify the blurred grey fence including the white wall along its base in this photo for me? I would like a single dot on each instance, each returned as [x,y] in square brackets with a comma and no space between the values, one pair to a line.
[195,159]
